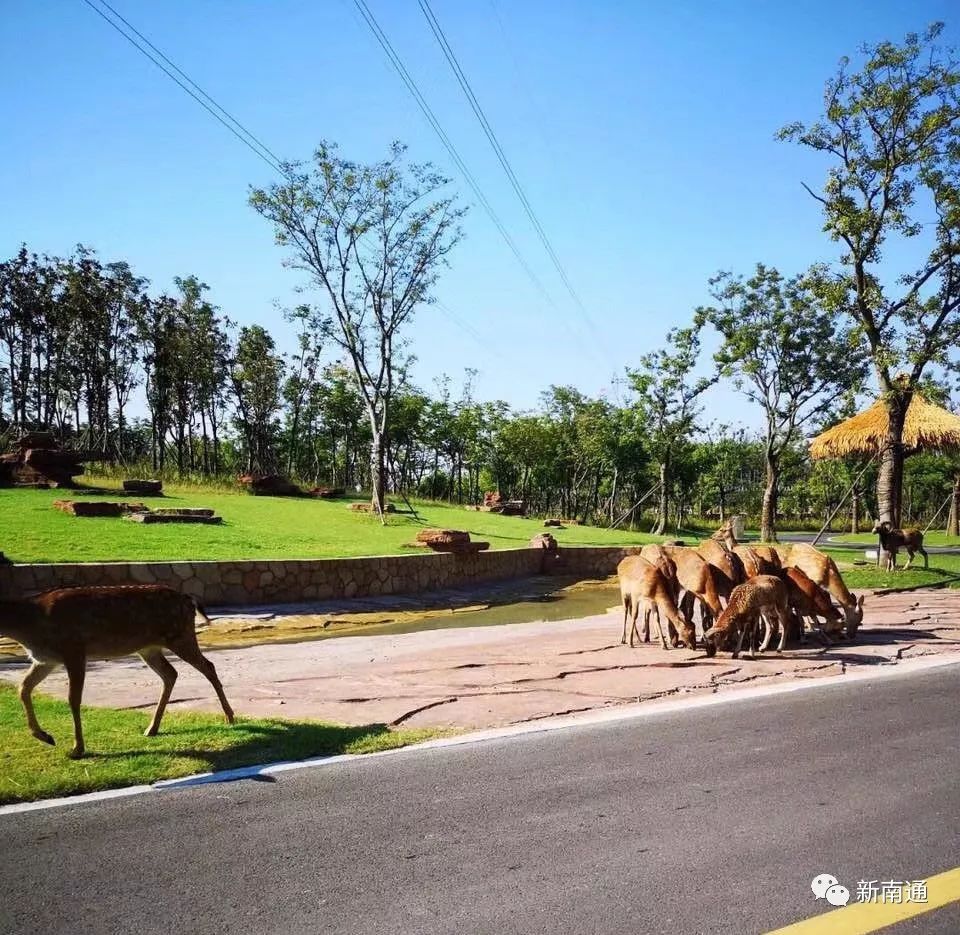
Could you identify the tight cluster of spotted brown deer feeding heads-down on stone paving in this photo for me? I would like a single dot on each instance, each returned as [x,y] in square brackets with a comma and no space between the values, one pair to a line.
[738,589]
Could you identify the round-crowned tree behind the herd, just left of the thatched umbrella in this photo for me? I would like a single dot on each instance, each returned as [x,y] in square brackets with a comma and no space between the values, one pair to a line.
[787,354]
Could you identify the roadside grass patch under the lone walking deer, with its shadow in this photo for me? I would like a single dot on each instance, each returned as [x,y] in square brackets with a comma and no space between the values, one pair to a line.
[119,755]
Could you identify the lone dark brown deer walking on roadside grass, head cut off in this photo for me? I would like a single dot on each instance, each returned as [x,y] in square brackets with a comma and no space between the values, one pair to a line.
[69,626]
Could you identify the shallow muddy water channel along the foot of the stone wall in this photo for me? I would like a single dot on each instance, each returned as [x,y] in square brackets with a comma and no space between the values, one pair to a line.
[495,605]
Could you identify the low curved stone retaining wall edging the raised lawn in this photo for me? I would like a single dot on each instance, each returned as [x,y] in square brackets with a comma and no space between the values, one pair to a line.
[268,581]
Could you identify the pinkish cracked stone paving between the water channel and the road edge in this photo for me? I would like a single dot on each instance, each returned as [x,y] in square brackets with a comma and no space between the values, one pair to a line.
[497,676]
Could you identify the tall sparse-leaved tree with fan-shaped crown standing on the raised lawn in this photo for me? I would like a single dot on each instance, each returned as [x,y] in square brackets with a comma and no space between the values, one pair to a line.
[373,238]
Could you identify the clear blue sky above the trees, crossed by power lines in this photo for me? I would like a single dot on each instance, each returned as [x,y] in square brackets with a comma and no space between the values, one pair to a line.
[642,133]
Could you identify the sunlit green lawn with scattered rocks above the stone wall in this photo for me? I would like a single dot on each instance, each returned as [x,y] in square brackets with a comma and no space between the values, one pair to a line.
[253,528]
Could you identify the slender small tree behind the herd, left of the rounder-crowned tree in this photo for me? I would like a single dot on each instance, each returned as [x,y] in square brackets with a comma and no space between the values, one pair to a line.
[667,391]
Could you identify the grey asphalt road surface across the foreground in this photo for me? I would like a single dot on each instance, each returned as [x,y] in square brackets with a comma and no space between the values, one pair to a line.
[715,820]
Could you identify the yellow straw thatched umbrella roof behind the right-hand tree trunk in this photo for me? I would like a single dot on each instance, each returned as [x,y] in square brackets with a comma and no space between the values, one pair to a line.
[926,426]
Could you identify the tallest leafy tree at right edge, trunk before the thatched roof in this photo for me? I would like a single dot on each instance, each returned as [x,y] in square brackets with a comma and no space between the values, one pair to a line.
[892,134]
